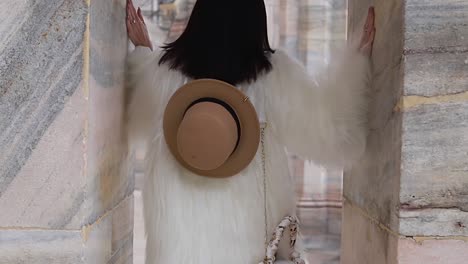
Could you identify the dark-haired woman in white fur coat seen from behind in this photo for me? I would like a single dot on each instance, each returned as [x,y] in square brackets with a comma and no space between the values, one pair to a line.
[199,220]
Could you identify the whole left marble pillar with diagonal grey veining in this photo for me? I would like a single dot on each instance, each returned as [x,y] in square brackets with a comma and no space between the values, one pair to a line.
[65,191]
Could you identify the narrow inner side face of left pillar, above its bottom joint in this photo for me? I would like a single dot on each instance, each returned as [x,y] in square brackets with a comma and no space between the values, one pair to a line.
[109,177]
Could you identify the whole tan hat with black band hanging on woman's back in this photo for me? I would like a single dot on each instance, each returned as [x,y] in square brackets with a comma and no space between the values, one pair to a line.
[211,128]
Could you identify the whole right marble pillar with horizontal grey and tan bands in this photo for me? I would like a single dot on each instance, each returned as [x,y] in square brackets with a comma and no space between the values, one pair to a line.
[406,202]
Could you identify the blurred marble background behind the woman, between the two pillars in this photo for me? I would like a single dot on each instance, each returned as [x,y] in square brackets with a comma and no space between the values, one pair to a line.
[307,29]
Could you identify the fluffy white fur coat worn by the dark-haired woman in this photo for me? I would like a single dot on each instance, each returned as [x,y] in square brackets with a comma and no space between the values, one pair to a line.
[196,220]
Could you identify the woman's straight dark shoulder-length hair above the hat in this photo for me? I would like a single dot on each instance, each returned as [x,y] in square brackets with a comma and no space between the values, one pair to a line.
[225,40]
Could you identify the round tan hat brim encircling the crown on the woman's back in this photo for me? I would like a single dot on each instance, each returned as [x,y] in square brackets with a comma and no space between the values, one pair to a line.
[249,123]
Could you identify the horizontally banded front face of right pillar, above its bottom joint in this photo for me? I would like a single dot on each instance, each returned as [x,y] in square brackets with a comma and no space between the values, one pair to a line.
[434,169]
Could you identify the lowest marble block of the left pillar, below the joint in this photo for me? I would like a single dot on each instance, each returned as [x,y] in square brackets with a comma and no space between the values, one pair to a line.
[109,241]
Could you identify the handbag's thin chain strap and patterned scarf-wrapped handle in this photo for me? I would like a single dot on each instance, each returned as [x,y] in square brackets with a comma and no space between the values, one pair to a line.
[288,222]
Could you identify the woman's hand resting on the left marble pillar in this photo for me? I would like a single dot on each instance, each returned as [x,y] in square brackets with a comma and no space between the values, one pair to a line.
[136,27]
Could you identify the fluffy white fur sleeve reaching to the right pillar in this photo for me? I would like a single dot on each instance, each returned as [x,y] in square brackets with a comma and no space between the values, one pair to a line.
[322,117]
